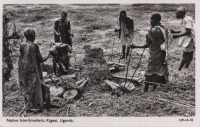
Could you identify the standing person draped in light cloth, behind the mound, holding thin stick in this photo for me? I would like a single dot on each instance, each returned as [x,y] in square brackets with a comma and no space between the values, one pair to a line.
[126,32]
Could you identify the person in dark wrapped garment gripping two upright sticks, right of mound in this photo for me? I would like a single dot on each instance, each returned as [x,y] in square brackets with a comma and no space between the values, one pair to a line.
[157,70]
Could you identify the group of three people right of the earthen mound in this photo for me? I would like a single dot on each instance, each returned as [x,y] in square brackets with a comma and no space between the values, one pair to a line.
[156,41]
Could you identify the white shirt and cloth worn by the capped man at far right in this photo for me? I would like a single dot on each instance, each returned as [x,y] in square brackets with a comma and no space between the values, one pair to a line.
[187,22]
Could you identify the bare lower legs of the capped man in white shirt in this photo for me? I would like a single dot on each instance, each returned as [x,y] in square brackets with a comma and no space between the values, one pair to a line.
[186,60]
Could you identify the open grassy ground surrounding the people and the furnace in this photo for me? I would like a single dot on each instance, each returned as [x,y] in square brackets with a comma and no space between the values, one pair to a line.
[94,25]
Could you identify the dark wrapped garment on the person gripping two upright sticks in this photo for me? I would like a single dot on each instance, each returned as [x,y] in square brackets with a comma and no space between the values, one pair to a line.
[157,70]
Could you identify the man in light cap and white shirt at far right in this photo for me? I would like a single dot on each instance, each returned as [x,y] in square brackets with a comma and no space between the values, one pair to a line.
[186,35]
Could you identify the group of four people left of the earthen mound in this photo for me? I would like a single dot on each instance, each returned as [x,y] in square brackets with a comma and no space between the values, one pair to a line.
[36,93]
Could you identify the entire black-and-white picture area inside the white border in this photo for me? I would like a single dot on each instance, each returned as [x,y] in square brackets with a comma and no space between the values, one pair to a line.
[98,60]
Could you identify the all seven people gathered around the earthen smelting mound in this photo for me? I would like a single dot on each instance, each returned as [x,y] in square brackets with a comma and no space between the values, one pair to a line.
[36,93]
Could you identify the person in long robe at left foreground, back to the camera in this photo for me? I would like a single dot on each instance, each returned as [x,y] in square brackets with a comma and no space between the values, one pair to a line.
[30,77]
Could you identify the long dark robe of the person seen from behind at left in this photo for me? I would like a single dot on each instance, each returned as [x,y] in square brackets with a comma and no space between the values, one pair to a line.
[29,78]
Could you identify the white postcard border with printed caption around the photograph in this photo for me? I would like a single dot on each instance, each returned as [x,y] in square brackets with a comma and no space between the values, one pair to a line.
[113,121]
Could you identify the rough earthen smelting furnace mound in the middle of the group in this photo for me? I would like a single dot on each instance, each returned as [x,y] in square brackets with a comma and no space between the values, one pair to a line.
[95,66]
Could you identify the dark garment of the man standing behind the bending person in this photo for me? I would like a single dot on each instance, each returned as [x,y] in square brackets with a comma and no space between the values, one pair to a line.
[64,28]
